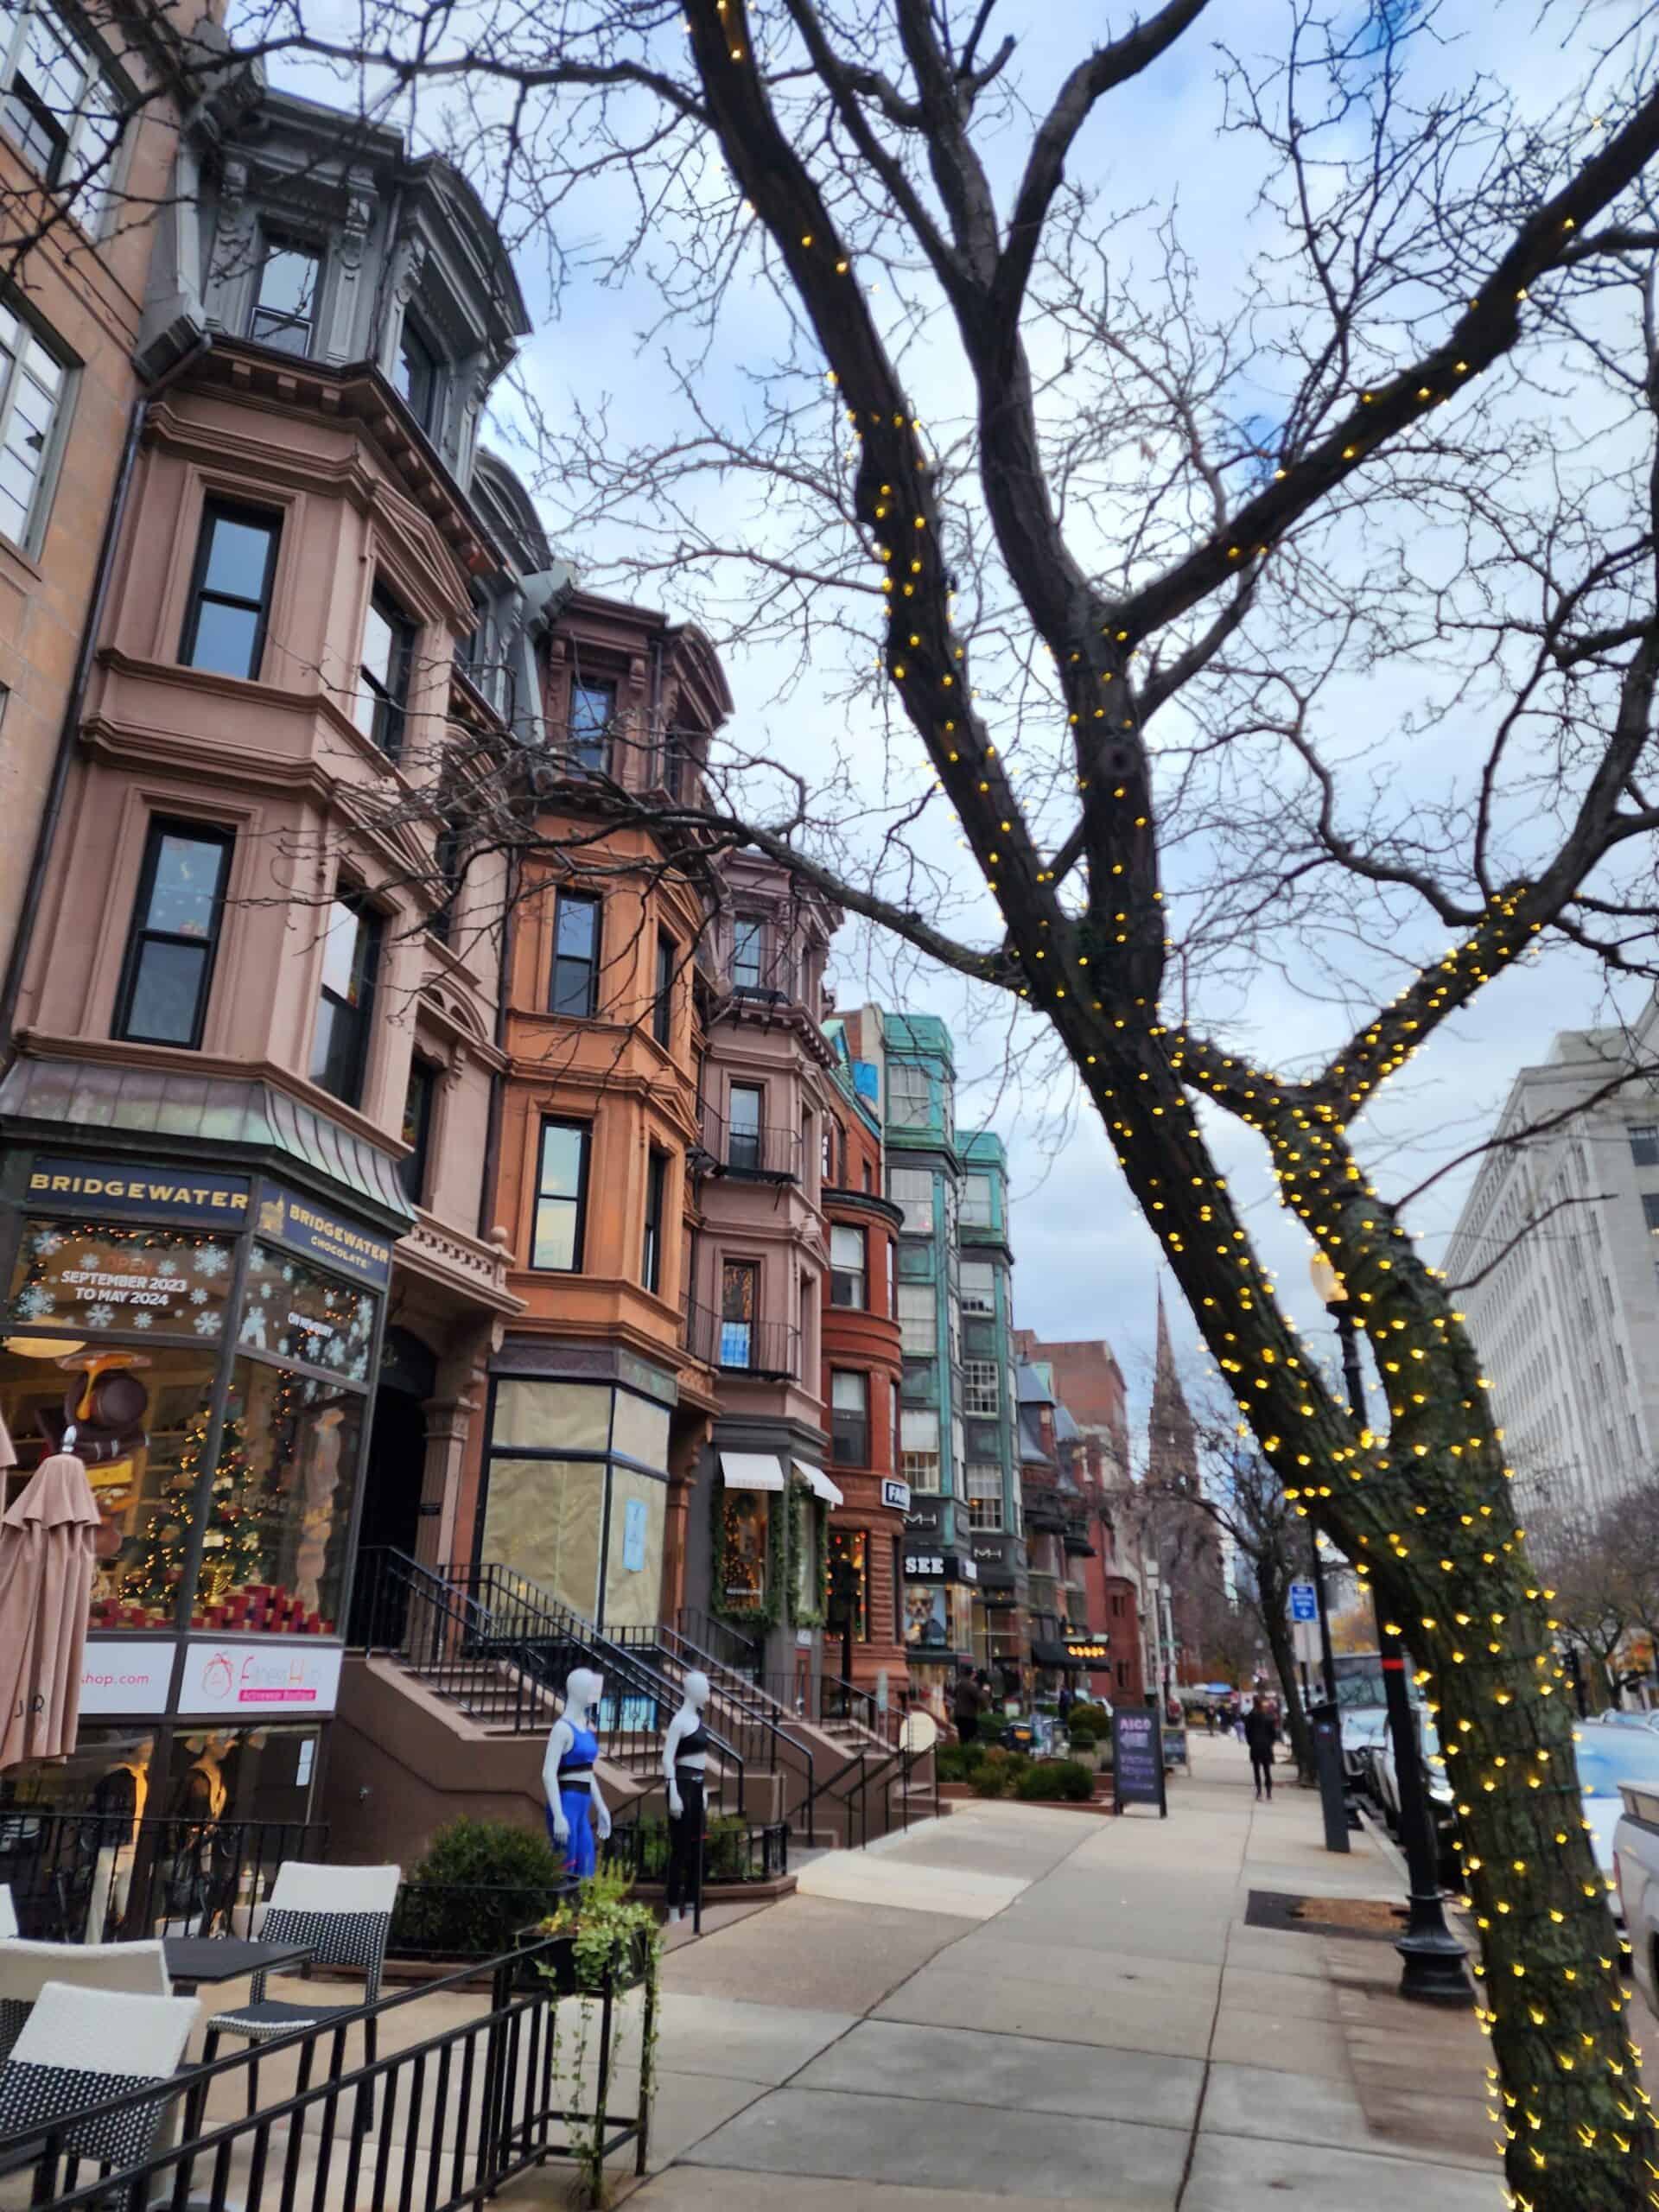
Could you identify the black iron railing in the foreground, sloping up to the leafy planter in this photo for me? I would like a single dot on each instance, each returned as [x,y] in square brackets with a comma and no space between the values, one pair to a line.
[444,2122]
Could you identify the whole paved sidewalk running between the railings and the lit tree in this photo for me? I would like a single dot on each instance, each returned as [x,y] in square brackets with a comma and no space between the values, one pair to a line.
[1021,2010]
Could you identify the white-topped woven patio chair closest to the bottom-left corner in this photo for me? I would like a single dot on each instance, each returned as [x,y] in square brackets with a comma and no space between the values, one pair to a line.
[85,2045]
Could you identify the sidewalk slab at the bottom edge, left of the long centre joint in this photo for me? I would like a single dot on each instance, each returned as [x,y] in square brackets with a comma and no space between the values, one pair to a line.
[952,2147]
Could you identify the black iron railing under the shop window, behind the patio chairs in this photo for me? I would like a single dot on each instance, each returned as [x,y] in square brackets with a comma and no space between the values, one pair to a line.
[85,1877]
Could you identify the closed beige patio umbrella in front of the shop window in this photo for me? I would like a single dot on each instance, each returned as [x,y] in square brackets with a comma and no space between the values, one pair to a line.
[45,1594]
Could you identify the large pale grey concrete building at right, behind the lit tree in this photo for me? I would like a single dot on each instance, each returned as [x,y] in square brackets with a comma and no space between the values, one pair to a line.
[1556,1264]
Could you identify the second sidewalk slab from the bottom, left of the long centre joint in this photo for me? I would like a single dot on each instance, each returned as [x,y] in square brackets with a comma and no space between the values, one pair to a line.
[888,2058]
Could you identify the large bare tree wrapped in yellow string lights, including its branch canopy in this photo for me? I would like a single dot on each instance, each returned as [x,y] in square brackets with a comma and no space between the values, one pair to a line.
[1300,625]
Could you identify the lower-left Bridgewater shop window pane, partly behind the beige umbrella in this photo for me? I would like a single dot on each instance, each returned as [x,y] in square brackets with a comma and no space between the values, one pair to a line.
[138,1426]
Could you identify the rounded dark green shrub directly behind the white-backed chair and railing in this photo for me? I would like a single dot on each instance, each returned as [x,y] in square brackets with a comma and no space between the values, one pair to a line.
[477,1888]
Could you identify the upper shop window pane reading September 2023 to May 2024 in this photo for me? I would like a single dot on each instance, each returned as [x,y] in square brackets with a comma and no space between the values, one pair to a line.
[107,1277]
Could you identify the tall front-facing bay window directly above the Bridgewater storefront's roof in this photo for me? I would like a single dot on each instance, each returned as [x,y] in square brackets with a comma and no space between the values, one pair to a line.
[176,937]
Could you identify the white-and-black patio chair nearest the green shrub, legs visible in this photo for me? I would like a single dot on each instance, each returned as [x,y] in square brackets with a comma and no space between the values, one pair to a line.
[346,1917]
